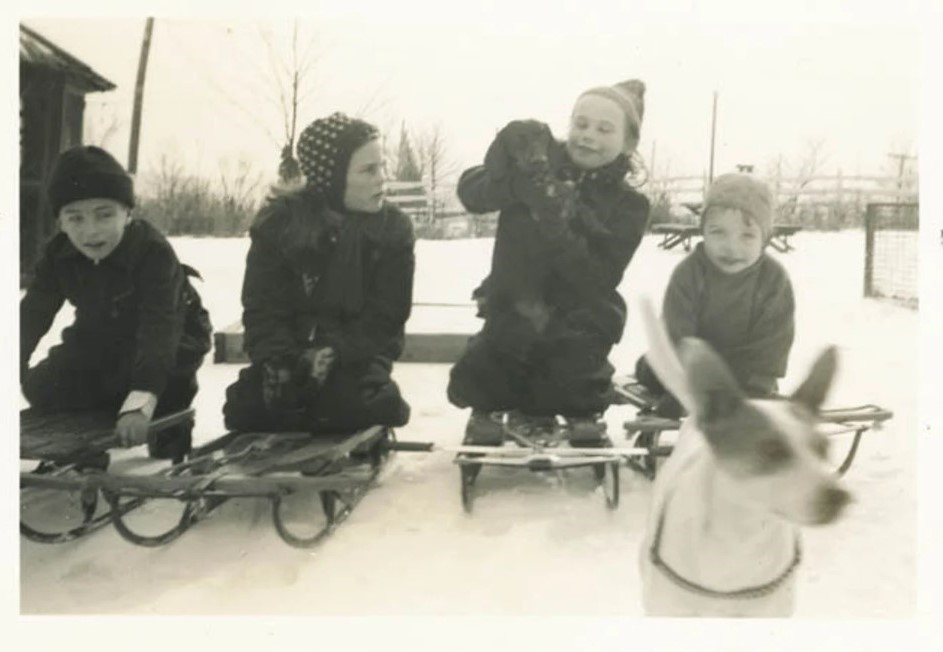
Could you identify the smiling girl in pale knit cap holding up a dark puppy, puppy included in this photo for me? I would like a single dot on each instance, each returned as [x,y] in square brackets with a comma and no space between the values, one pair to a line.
[568,226]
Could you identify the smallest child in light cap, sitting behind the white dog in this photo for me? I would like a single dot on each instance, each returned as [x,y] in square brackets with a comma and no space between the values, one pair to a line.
[730,293]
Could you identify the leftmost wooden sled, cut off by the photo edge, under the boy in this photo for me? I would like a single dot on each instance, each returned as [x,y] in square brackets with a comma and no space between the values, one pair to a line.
[72,451]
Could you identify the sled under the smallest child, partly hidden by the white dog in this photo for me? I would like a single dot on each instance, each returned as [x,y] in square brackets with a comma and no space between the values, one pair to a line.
[646,428]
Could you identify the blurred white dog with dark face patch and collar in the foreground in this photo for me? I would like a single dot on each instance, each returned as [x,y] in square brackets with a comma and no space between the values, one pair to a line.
[723,536]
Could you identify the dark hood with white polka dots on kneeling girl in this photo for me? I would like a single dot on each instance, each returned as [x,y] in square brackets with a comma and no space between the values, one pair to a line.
[324,150]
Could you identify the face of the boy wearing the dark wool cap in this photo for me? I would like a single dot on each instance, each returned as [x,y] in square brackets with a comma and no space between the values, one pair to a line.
[94,226]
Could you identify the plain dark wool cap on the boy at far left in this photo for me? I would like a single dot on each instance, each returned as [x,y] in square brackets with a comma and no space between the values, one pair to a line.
[88,172]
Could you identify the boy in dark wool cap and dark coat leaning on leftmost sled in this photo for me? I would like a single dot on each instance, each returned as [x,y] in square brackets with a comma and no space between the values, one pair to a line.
[140,332]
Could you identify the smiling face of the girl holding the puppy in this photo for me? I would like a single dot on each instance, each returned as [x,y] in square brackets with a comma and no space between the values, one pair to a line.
[597,132]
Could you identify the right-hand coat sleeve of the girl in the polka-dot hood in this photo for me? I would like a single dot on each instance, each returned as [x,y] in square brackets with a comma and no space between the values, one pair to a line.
[379,329]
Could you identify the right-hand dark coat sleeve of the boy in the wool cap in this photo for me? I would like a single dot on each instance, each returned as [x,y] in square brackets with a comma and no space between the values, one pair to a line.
[159,279]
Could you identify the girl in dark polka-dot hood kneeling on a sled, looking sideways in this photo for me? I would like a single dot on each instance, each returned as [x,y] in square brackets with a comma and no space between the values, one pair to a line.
[326,294]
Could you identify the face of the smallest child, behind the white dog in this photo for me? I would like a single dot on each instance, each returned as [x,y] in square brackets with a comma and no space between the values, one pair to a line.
[731,241]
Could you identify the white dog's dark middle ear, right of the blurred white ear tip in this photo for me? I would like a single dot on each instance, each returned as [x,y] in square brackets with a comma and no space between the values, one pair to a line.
[714,390]
